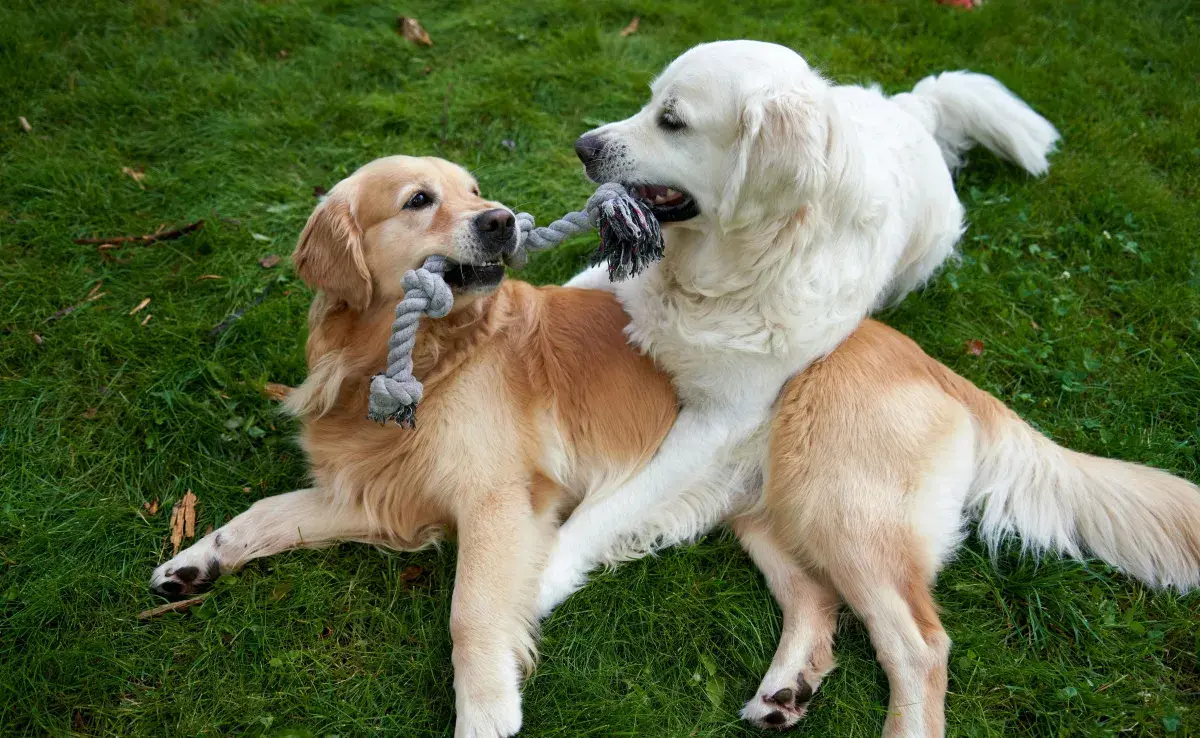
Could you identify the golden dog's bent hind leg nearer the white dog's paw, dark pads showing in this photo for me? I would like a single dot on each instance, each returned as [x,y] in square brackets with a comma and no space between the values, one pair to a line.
[806,646]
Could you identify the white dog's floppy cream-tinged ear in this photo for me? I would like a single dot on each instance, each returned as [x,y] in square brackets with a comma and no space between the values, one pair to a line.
[778,153]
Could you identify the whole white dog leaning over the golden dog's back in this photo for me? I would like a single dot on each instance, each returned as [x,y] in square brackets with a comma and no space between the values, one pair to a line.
[819,203]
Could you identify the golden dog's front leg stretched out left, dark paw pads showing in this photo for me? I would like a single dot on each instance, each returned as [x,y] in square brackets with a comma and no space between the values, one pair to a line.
[302,519]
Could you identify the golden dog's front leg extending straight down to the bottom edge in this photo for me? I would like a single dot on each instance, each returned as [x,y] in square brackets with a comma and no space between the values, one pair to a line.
[502,549]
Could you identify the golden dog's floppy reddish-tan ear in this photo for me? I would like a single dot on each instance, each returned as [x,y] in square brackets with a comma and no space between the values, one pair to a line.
[329,255]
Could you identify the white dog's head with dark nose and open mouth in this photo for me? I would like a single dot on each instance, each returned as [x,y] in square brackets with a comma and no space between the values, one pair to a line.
[736,133]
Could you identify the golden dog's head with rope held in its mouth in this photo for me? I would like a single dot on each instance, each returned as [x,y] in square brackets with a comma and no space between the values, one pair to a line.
[392,215]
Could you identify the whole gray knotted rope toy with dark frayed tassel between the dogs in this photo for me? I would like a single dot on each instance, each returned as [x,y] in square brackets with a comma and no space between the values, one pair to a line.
[631,239]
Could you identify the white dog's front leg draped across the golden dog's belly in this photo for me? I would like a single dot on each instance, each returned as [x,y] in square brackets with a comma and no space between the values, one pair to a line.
[677,496]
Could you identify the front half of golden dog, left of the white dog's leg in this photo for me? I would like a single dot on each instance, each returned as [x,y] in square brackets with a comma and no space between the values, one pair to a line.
[533,400]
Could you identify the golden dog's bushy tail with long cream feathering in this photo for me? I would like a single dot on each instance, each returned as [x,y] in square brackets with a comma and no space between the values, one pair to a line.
[1142,521]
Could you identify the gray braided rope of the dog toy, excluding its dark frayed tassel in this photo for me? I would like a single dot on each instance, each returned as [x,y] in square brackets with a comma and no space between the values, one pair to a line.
[397,393]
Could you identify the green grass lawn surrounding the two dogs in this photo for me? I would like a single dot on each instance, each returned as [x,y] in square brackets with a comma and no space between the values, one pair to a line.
[1084,289]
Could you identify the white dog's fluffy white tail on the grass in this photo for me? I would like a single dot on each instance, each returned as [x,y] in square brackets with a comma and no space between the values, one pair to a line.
[963,110]
